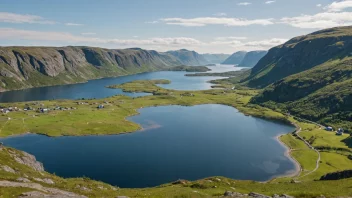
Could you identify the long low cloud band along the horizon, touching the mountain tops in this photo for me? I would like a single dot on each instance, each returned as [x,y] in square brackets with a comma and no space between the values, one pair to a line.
[219,44]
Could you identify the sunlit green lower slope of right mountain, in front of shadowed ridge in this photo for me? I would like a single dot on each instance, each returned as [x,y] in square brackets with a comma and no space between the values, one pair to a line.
[322,94]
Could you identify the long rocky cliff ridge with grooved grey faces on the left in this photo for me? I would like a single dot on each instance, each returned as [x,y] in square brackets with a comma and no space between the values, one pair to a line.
[25,67]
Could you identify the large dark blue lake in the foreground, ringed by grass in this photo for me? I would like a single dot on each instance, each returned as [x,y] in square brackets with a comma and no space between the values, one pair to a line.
[176,143]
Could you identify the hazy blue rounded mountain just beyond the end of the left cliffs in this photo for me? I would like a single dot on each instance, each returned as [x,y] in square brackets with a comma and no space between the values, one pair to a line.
[186,57]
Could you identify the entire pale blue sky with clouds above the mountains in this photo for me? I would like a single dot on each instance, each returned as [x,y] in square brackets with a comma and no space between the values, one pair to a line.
[206,26]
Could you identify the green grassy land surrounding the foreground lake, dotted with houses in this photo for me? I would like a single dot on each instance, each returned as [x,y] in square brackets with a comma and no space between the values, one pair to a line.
[83,117]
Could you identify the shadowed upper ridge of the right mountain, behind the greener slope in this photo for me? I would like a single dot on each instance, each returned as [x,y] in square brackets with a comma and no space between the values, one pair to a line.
[300,54]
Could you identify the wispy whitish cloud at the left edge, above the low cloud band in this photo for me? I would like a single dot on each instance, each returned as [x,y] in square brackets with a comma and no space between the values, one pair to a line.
[7,17]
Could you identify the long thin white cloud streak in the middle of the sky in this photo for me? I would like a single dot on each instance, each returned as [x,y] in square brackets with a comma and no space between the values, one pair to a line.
[203,21]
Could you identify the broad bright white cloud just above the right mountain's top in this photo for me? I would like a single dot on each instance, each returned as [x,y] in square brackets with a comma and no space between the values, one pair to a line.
[320,20]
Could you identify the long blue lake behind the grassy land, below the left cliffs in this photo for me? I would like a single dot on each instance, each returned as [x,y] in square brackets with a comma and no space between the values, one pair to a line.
[97,88]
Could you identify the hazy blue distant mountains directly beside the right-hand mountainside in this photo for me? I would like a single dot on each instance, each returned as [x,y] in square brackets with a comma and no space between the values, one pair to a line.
[245,59]
